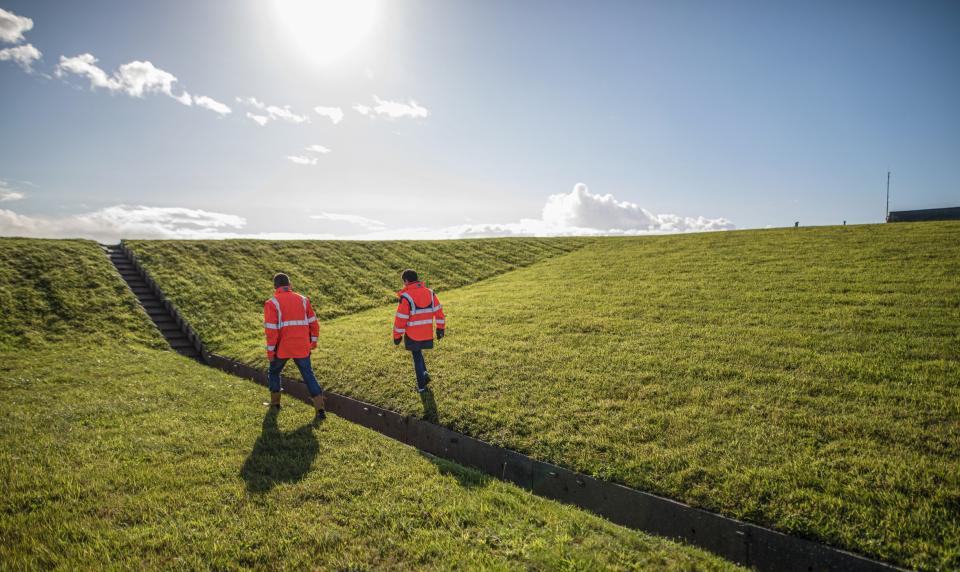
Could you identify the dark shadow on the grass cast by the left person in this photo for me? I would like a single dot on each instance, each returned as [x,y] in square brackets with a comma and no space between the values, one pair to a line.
[279,457]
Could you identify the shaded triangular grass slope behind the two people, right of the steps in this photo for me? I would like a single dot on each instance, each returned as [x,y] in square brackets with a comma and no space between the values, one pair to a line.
[223,284]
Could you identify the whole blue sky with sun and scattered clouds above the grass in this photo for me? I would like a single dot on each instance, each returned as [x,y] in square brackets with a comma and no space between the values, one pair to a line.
[454,118]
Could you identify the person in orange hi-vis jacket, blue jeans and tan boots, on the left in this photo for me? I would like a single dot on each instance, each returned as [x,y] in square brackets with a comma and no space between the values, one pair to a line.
[291,328]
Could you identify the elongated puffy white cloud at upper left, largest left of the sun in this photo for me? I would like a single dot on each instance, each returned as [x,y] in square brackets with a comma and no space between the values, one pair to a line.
[135,78]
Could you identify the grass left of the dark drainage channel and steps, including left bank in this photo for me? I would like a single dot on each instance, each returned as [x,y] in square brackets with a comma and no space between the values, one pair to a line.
[116,454]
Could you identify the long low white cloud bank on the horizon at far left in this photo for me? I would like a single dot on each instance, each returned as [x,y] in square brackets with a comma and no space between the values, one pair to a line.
[123,221]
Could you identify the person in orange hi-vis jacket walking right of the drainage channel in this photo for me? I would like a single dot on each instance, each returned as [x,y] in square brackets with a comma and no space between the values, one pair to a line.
[417,312]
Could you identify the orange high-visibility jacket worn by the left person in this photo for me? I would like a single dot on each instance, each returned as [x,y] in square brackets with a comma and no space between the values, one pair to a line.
[290,325]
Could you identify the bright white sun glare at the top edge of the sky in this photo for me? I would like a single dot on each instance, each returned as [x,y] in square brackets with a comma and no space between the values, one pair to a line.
[326,29]
